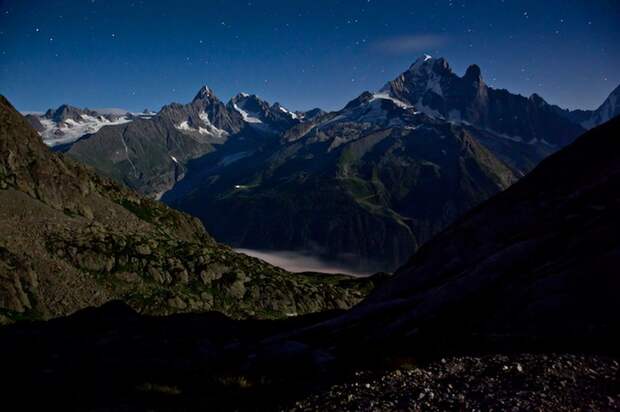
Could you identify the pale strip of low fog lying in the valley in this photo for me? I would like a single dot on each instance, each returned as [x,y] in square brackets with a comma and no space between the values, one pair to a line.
[303,262]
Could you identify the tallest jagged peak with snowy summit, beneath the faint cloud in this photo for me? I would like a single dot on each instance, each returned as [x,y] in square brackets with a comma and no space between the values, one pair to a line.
[433,88]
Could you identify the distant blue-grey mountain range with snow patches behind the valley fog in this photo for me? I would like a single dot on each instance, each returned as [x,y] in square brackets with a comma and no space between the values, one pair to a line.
[367,184]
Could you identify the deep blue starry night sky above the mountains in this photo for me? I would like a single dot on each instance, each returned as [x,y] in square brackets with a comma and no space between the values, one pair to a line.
[302,53]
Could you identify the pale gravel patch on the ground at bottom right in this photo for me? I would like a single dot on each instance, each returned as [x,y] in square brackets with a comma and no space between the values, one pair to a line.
[503,383]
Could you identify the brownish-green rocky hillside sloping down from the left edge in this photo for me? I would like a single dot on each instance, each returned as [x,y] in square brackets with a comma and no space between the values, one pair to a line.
[73,239]
